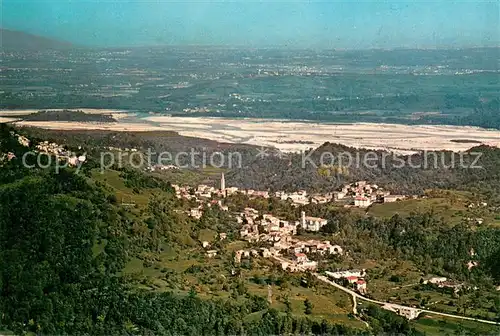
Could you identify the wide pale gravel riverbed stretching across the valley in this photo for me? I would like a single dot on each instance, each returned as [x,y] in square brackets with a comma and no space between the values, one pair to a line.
[290,136]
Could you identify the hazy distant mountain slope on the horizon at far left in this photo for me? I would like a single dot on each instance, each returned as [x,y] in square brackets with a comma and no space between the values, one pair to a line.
[17,40]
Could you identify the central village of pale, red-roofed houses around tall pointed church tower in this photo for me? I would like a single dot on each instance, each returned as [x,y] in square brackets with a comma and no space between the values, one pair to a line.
[279,236]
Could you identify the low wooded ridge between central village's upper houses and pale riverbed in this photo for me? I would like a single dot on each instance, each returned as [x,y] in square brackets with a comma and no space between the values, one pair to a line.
[402,174]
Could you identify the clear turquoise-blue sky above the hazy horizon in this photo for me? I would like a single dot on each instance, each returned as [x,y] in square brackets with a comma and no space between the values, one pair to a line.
[328,24]
